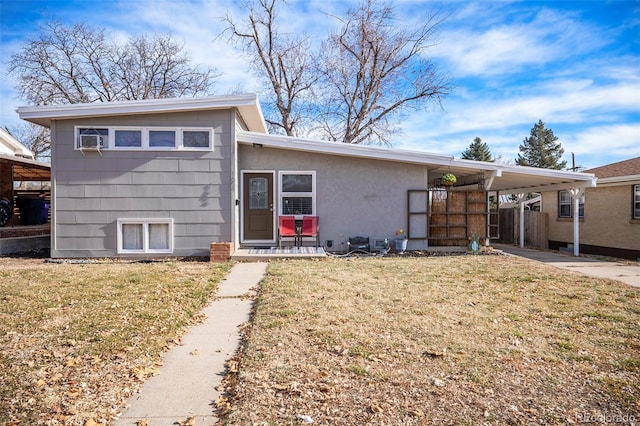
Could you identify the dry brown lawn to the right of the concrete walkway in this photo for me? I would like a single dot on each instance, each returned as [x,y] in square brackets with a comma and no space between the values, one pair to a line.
[448,340]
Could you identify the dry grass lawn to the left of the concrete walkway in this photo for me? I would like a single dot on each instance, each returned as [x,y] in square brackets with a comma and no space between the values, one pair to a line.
[77,340]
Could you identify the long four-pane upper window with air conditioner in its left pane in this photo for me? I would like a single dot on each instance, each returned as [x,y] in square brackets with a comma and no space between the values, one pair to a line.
[143,138]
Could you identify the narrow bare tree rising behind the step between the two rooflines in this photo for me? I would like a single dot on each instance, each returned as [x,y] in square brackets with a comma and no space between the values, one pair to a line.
[282,60]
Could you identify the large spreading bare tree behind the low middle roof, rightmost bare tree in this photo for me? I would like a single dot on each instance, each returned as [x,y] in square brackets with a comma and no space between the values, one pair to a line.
[374,68]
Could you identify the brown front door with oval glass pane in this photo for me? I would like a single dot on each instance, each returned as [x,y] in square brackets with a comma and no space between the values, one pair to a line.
[257,210]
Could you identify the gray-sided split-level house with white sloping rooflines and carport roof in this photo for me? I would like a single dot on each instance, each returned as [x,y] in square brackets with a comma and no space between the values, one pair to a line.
[169,177]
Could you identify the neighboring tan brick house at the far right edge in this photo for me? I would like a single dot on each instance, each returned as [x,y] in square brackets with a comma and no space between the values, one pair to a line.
[609,213]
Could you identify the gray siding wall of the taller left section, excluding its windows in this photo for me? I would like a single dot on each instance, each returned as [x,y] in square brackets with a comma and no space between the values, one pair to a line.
[93,190]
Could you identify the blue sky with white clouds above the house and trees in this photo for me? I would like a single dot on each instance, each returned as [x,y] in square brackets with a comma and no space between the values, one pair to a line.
[573,64]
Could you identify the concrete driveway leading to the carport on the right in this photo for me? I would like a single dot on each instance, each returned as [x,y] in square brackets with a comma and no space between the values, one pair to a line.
[626,271]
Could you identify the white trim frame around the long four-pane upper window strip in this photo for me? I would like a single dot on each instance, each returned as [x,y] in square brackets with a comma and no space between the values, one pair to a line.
[179,146]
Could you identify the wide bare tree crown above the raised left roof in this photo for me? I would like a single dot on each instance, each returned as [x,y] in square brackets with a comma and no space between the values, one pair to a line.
[72,64]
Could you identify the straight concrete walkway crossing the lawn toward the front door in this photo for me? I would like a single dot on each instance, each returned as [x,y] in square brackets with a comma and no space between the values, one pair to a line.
[186,385]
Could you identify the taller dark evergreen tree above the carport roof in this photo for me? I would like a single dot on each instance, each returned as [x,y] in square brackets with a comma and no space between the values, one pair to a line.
[540,149]
